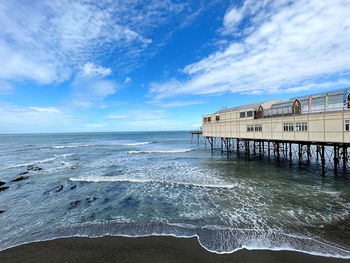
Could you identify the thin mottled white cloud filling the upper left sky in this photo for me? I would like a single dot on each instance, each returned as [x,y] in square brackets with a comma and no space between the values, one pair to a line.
[47,41]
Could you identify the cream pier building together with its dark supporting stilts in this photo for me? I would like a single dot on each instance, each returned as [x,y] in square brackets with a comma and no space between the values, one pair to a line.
[309,125]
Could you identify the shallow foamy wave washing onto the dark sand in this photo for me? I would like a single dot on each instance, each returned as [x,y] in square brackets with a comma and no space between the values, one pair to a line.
[210,240]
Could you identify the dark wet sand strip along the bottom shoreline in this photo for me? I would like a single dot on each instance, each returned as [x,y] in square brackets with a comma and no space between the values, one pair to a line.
[144,249]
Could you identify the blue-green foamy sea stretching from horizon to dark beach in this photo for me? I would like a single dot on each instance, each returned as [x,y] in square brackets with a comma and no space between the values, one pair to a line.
[158,183]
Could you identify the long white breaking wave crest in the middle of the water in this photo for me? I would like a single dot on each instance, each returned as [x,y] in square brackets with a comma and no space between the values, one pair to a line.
[99,179]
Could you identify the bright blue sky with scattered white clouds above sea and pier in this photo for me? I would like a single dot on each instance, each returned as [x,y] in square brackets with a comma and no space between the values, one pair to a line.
[106,65]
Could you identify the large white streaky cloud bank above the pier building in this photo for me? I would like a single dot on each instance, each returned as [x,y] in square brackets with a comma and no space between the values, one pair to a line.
[286,45]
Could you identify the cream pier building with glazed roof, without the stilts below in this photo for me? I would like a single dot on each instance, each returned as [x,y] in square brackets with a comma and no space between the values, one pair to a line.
[317,118]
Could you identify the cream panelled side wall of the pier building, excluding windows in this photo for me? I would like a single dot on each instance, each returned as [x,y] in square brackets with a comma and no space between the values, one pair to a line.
[322,127]
